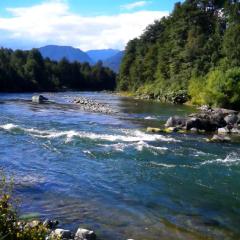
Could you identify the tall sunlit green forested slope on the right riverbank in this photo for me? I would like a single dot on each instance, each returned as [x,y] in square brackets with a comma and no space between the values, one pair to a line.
[196,50]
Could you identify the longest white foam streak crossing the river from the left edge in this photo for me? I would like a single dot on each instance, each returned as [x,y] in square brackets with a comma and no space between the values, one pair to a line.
[128,135]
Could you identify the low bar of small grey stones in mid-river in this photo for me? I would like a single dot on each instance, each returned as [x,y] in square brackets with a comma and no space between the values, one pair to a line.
[93,106]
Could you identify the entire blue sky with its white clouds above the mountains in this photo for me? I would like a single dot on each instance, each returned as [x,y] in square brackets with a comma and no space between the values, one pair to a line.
[85,24]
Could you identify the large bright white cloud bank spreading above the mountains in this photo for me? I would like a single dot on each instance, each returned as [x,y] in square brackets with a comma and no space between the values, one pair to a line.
[53,23]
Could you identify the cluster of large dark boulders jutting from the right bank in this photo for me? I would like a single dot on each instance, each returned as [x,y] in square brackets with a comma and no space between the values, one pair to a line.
[221,122]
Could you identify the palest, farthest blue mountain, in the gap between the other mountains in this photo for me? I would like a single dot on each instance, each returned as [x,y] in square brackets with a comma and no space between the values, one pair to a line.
[102,55]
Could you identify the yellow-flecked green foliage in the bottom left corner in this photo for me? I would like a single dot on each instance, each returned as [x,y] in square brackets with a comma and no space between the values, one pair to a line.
[10,226]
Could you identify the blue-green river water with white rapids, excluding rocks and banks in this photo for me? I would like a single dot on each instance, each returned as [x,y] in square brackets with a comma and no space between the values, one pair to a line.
[104,172]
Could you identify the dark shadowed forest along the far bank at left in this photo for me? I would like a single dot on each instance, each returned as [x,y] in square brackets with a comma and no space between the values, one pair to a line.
[29,71]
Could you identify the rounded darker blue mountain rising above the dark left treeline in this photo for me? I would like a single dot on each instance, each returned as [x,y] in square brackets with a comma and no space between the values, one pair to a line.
[59,52]
